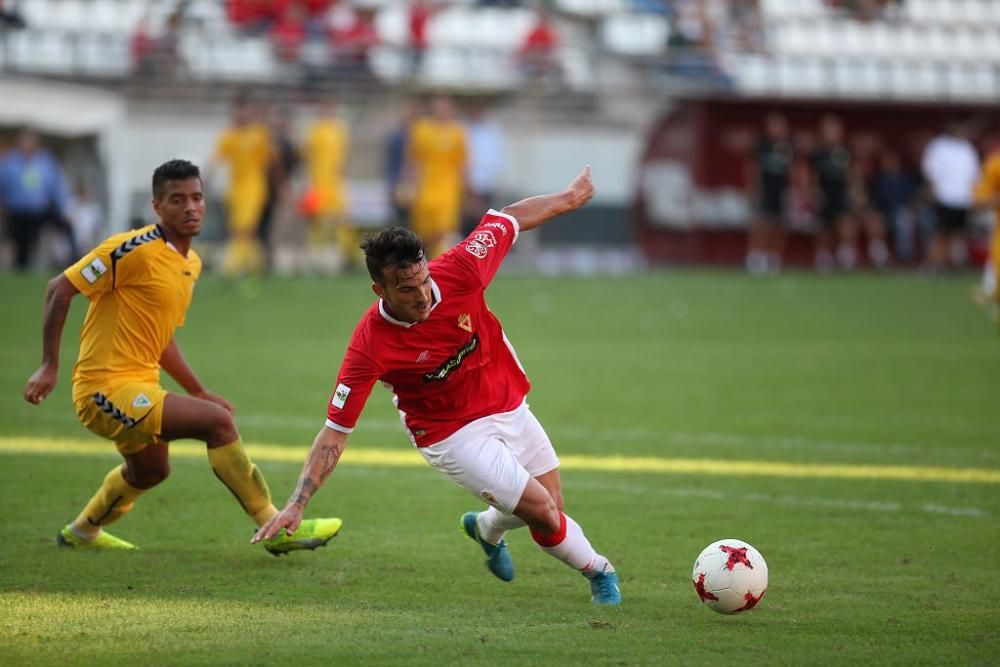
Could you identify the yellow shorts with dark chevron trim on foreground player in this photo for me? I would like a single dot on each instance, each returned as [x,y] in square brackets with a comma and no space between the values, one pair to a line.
[131,415]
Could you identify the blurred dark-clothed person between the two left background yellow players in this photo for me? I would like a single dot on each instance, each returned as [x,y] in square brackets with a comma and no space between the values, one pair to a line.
[281,169]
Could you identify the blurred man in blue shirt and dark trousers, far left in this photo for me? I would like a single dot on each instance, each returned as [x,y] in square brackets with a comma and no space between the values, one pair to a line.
[33,196]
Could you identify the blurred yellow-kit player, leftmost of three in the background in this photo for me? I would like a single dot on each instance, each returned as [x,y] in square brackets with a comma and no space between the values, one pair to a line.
[247,149]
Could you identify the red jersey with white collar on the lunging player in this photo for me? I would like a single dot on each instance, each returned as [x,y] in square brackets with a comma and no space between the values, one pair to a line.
[453,368]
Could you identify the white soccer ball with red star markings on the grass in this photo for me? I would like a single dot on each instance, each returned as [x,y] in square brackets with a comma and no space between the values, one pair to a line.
[730,576]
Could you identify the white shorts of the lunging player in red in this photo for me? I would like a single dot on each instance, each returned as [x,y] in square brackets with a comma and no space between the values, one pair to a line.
[493,457]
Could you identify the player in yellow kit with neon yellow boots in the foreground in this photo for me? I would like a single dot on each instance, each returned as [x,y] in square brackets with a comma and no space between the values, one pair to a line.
[139,285]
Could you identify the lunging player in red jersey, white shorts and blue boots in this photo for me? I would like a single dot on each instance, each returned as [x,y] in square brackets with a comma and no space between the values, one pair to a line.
[460,389]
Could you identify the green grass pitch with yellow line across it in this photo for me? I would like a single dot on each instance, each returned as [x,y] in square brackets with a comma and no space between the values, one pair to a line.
[849,428]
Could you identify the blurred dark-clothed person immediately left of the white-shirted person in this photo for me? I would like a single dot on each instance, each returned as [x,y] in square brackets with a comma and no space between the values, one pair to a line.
[894,192]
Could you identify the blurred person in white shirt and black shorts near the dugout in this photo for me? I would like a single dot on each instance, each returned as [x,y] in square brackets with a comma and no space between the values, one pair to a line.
[951,166]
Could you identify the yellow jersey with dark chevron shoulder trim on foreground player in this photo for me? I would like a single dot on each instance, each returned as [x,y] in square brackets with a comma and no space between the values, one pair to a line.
[139,287]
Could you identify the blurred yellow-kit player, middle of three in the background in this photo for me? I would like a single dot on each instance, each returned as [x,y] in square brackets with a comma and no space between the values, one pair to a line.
[325,154]
